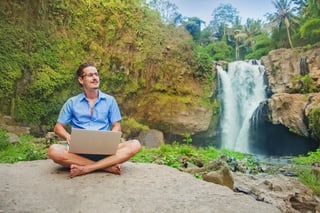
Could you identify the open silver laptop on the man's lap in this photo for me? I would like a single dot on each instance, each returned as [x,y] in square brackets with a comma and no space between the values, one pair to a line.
[100,142]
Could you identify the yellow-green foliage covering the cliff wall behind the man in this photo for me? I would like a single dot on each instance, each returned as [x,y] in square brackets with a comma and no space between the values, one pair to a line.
[132,49]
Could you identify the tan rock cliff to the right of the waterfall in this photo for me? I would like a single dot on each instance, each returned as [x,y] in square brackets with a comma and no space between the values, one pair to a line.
[291,72]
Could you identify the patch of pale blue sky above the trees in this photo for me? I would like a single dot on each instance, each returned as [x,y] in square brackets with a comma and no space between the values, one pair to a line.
[203,8]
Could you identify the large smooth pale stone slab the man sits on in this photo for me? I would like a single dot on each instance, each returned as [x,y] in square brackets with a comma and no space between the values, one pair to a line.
[42,186]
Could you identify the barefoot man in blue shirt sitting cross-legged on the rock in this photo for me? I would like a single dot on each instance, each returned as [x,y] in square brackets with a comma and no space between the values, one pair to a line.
[91,109]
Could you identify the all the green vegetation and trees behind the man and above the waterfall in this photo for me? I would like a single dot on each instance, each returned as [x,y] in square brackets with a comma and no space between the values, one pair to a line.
[142,49]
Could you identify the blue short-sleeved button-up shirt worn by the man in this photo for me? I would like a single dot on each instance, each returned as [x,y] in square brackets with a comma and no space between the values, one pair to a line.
[77,112]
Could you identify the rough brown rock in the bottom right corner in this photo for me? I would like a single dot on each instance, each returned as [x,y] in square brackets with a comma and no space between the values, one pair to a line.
[286,193]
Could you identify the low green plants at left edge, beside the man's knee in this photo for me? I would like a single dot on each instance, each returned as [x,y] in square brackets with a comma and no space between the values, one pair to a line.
[26,150]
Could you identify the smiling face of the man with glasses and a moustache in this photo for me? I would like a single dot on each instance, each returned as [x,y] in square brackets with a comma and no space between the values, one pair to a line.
[89,78]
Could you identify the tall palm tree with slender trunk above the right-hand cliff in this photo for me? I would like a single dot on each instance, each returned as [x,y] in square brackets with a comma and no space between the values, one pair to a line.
[284,15]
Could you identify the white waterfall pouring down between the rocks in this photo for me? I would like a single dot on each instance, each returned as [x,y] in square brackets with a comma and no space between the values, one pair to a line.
[241,89]
